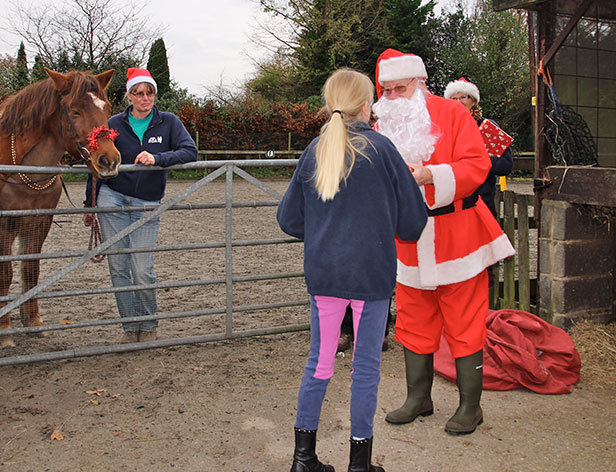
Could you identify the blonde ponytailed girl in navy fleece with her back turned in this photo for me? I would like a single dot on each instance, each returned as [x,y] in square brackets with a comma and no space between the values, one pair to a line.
[350,195]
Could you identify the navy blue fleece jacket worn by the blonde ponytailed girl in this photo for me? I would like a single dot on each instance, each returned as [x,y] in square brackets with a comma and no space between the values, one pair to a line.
[349,242]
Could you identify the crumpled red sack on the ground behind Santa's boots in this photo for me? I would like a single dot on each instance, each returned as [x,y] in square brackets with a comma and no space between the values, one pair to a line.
[521,351]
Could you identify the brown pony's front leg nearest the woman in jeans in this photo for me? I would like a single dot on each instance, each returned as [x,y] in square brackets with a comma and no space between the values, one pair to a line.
[32,234]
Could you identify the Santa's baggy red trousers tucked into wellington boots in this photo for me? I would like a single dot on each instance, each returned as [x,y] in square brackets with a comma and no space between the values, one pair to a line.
[458,310]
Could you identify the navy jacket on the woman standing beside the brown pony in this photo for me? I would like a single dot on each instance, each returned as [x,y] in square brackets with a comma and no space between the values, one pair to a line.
[166,139]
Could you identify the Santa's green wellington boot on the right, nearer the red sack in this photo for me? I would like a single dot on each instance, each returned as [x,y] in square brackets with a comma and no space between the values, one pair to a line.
[468,416]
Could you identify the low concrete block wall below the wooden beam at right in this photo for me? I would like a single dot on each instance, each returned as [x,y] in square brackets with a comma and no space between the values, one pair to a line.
[577,265]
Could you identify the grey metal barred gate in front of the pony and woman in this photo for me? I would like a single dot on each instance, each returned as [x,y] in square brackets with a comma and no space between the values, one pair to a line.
[76,298]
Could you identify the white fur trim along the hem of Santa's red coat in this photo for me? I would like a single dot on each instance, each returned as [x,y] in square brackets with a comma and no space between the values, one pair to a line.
[428,277]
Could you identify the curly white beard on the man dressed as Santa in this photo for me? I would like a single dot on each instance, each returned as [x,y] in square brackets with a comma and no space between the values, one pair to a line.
[407,123]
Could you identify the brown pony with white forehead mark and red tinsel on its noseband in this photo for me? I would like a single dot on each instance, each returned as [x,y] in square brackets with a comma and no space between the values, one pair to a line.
[65,113]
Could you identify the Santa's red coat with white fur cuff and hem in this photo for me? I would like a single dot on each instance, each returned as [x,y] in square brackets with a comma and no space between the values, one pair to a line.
[455,246]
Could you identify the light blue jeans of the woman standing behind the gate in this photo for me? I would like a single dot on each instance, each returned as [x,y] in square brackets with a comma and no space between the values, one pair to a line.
[130,269]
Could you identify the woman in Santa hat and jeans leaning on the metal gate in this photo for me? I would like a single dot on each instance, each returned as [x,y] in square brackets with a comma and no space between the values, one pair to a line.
[149,137]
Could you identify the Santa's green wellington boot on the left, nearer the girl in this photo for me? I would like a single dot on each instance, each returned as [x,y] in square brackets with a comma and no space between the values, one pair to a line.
[419,375]
